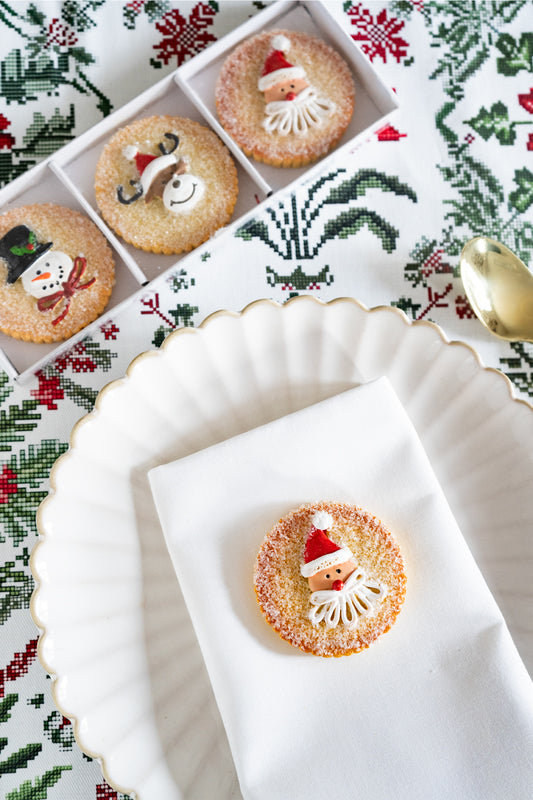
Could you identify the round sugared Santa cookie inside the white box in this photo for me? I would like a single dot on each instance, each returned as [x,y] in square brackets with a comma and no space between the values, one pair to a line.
[285,97]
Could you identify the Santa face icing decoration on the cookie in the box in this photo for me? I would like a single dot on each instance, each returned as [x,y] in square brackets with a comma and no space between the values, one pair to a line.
[292,105]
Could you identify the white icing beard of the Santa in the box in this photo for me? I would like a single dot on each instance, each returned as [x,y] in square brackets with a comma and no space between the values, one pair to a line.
[307,110]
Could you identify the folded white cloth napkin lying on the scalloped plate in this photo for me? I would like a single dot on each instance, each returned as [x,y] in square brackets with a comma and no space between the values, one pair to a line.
[441,706]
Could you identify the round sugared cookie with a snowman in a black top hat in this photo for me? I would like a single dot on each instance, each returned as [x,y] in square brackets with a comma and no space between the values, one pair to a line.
[56,272]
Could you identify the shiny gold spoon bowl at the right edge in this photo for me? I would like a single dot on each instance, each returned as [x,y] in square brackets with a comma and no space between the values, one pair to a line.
[499,288]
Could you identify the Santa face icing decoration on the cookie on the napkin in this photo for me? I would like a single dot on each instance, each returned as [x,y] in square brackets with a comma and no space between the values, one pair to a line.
[342,593]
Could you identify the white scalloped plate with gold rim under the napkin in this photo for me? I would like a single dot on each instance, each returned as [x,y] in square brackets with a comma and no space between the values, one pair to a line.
[116,635]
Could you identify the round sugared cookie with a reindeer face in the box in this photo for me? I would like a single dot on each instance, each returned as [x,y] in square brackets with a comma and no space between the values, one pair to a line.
[166,184]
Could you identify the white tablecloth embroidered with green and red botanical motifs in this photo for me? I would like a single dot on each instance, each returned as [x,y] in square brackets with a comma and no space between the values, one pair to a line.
[455,160]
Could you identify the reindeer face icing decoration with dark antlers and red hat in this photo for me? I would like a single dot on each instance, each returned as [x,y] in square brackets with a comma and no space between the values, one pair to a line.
[166,176]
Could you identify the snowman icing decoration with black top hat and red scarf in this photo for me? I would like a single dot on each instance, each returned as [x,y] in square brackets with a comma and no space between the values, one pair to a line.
[48,275]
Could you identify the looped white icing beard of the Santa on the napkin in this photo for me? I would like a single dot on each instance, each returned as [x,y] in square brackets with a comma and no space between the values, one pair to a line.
[357,599]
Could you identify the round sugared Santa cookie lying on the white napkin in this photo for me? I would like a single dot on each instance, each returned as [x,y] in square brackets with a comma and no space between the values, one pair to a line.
[330,579]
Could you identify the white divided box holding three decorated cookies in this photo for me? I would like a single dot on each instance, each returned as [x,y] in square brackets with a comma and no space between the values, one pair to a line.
[67,177]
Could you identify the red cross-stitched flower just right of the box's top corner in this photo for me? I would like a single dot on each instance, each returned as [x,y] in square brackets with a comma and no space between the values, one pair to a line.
[377,36]
